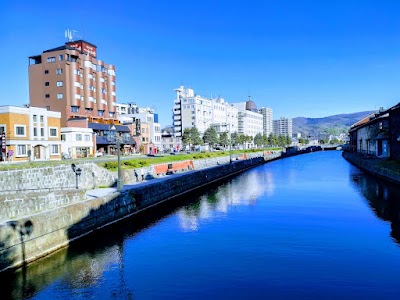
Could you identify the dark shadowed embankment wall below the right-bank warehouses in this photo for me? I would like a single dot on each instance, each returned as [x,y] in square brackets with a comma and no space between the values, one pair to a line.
[373,166]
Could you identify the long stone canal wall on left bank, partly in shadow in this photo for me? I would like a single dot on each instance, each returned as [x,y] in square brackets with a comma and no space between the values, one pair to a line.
[43,231]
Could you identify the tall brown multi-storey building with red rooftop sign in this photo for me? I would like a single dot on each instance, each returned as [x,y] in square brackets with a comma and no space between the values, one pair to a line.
[71,80]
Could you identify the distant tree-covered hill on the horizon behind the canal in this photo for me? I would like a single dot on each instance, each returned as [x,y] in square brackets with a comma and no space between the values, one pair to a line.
[331,125]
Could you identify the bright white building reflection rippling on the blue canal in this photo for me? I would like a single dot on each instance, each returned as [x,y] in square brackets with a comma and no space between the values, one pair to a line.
[243,190]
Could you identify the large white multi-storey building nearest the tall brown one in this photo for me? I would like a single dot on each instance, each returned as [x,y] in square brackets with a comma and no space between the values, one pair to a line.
[193,110]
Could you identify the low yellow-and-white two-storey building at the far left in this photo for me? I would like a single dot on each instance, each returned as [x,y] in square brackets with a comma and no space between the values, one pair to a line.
[29,133]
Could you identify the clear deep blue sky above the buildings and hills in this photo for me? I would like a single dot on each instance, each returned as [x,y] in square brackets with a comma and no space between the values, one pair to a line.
[301,58]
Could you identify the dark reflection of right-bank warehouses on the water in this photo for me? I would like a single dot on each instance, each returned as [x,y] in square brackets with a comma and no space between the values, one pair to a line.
[382,197]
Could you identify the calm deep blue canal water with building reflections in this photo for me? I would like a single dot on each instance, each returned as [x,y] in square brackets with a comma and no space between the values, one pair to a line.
[305,227]
